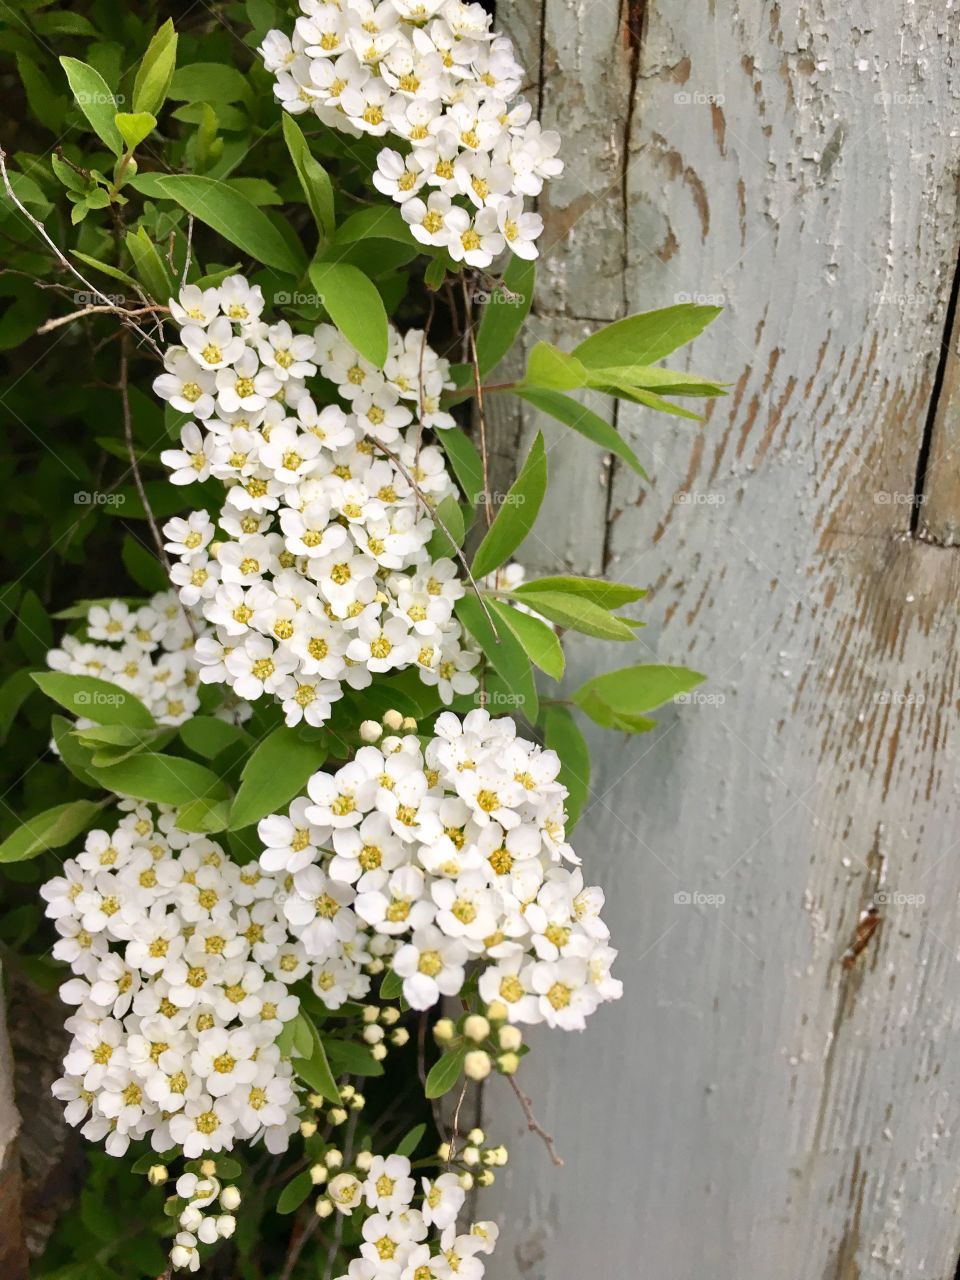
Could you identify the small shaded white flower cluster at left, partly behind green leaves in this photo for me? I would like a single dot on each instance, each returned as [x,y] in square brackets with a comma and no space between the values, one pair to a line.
[148,651]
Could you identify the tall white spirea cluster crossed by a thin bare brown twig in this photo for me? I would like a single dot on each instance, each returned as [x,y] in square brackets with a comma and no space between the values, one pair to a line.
[319,574]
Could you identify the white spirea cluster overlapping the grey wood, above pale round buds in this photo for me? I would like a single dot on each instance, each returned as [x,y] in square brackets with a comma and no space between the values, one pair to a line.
[441,857]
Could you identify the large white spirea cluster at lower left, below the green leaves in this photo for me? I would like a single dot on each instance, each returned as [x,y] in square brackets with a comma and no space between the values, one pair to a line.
[182,971]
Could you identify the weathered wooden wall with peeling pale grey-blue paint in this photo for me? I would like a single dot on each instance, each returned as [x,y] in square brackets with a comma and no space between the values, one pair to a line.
[753,1108]
